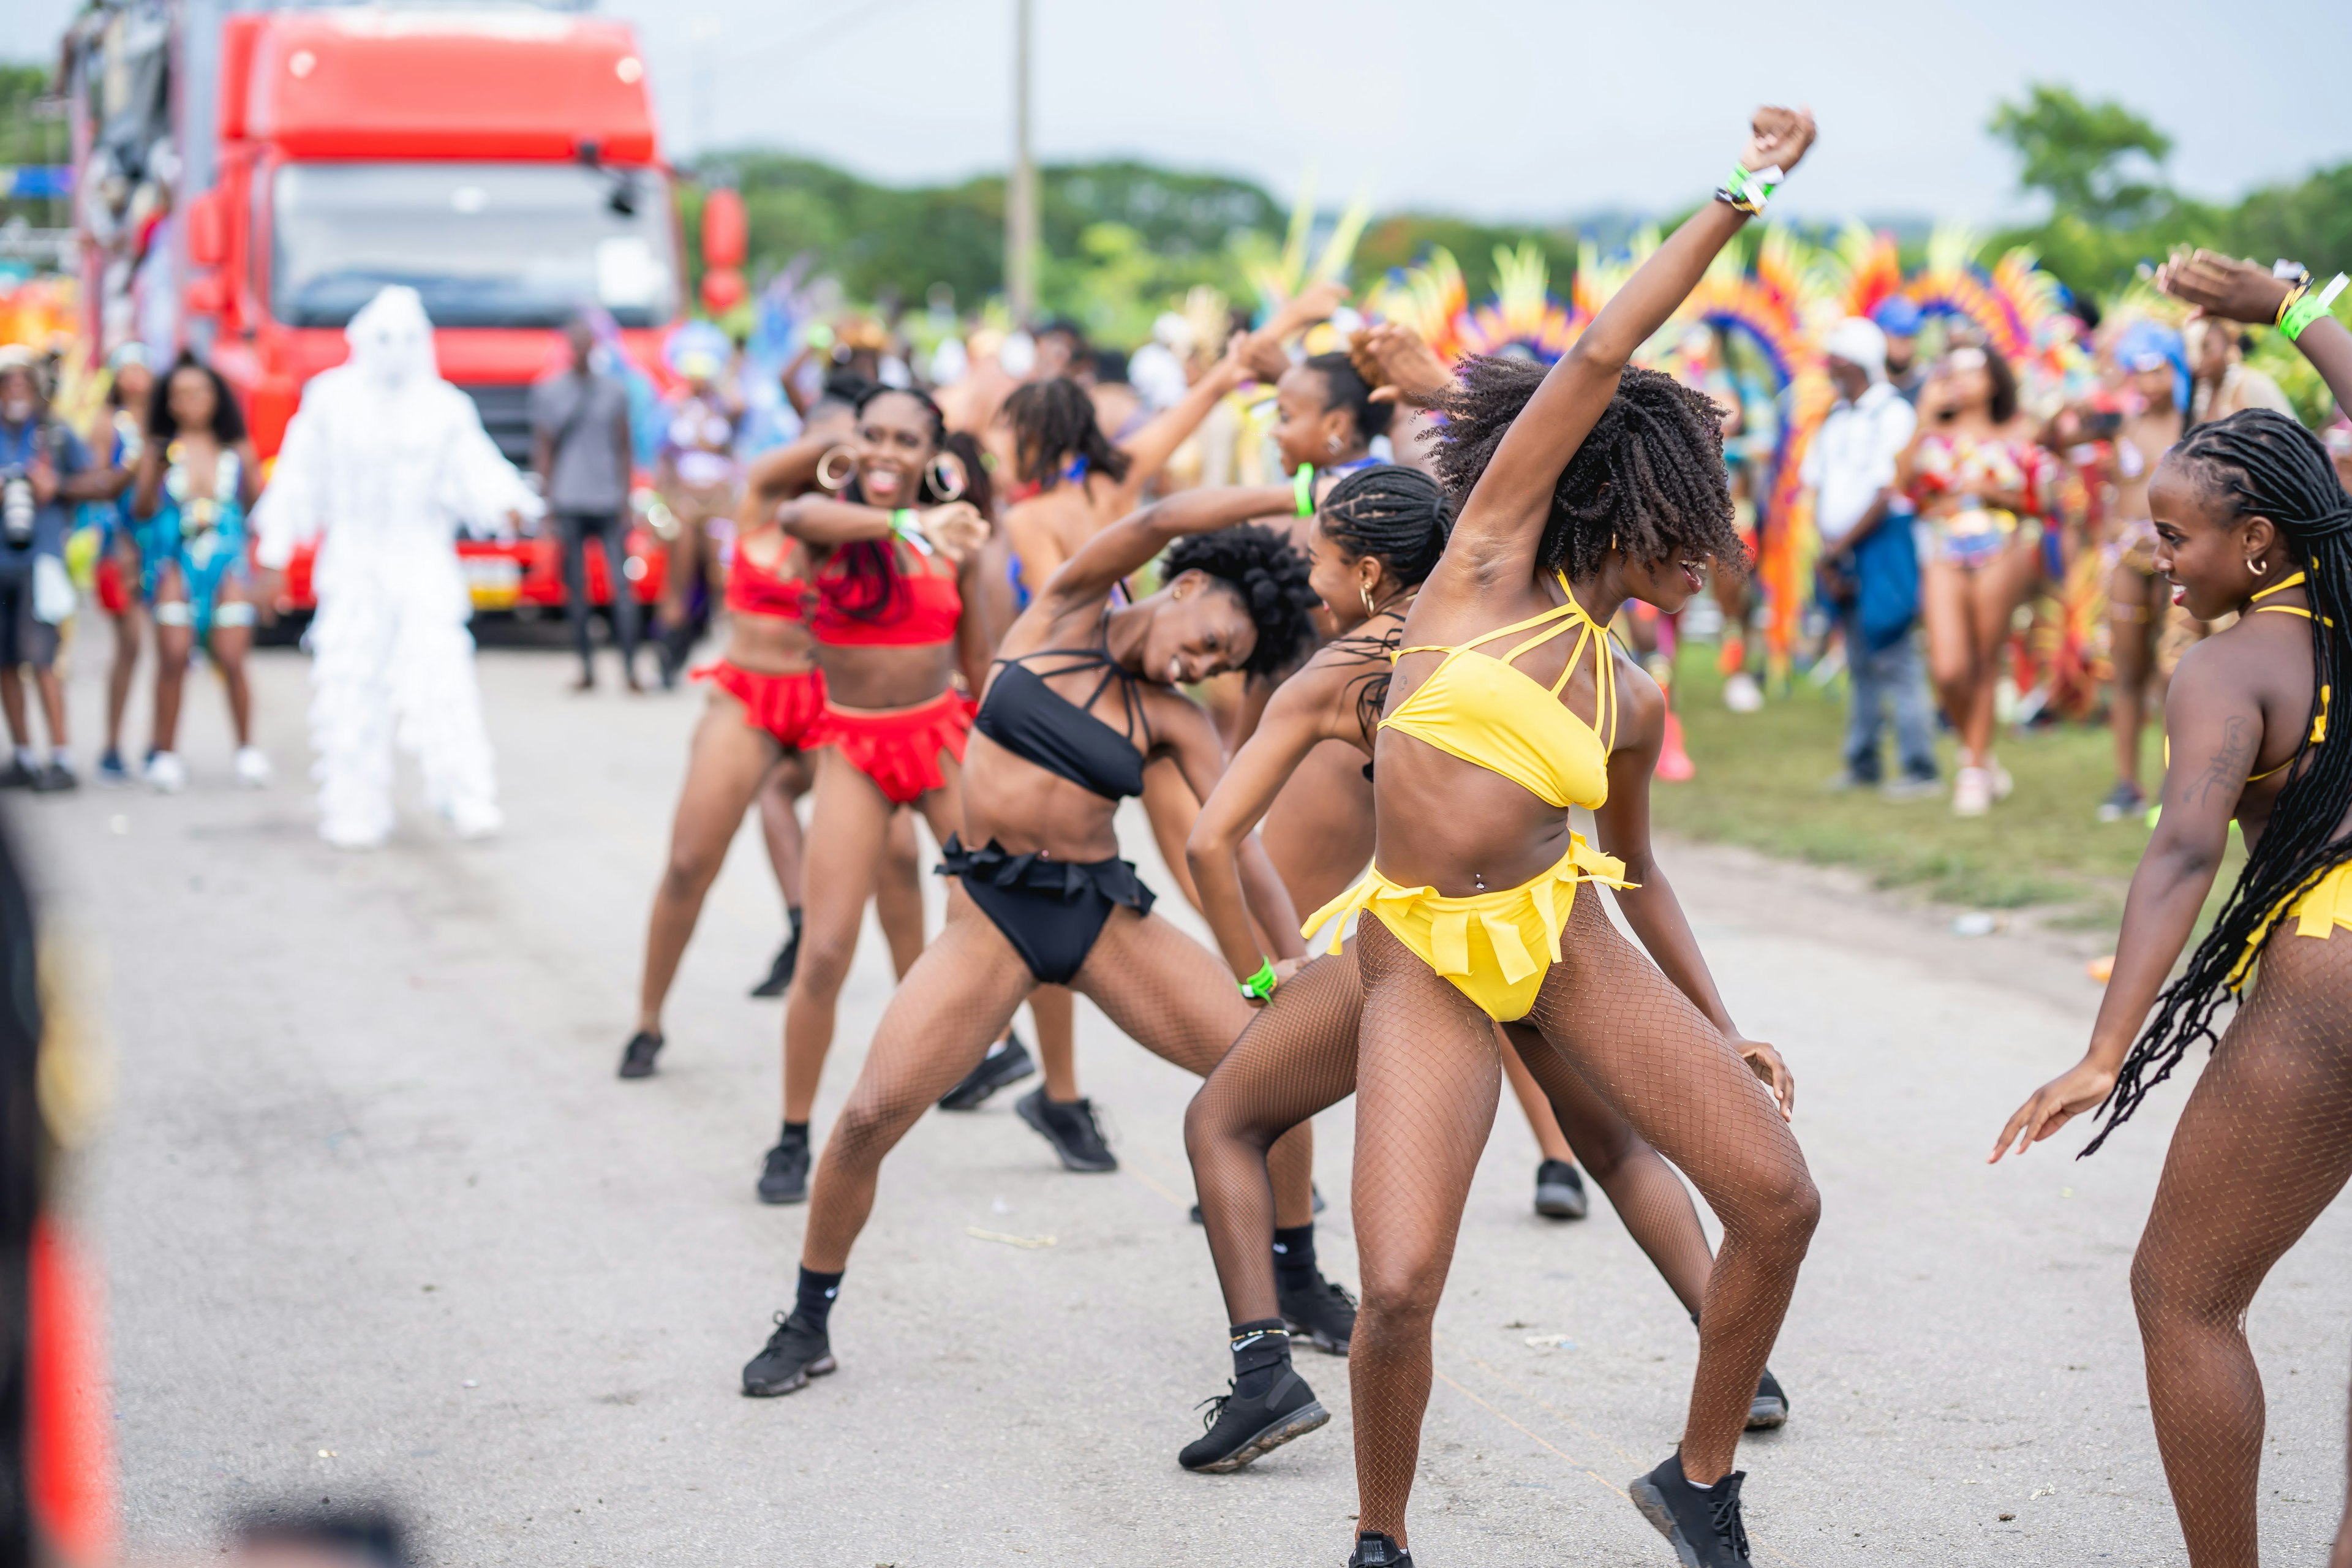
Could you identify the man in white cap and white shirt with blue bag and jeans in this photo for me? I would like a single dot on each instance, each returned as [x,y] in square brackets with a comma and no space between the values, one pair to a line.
[1869,561]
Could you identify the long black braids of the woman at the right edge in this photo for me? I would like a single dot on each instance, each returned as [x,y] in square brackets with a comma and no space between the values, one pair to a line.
[2264,464]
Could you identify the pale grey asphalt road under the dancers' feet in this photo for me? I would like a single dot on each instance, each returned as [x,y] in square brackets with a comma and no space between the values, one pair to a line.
[382,1224]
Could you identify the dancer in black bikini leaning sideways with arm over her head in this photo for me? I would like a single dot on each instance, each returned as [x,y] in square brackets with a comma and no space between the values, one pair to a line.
[1083,697]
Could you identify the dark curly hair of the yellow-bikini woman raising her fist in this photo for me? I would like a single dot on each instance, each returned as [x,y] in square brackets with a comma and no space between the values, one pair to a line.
[1648,481]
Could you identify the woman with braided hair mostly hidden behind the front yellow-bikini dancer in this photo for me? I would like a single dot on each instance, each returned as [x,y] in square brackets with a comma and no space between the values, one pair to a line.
[1377,537]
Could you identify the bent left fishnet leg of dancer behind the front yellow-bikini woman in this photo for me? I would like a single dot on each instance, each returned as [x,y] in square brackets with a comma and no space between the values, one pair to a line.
[1295,1059]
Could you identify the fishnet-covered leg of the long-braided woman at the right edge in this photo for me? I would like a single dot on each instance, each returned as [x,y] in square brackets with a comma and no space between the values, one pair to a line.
[2264,1148]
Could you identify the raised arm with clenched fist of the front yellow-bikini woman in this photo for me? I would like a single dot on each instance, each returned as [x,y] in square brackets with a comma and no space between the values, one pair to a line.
[1499,530]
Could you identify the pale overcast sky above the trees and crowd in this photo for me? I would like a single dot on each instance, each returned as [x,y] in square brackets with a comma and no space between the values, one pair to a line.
[1504,109]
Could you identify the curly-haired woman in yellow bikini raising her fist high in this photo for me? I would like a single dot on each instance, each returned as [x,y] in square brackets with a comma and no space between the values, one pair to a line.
[1584,485]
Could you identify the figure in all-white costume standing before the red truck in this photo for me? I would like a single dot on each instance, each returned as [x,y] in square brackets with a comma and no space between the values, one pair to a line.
[389,460]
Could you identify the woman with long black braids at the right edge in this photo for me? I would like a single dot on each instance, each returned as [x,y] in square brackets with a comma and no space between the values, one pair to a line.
[2254,521]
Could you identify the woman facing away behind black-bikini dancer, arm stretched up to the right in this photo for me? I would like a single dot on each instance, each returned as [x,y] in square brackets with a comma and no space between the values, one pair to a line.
[1069,485]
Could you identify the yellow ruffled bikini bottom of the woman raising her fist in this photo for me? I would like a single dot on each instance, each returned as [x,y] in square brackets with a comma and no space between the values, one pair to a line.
[1492,946]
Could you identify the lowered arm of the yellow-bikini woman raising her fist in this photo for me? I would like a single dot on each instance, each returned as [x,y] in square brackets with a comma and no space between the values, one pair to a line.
[1650,904]
